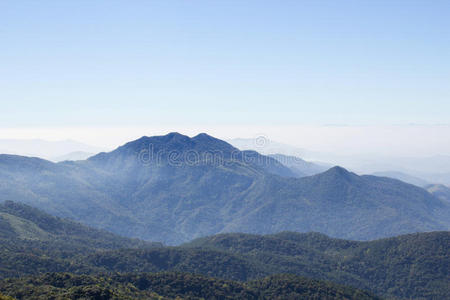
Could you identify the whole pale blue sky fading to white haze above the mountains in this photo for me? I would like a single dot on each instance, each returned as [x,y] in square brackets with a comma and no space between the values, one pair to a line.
[308,73]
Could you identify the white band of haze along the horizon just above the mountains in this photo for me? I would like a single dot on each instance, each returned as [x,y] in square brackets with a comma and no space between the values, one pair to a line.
[398,140]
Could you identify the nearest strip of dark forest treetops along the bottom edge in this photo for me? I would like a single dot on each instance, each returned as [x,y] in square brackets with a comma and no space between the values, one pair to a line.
[173,285]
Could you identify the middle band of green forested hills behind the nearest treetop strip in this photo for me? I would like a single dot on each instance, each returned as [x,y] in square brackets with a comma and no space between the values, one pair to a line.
[408,266]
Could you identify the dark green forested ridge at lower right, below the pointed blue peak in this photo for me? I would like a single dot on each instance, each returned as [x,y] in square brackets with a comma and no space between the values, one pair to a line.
[408,266]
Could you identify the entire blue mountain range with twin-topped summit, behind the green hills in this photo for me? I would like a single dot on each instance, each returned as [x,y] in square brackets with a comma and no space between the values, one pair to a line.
[174,188]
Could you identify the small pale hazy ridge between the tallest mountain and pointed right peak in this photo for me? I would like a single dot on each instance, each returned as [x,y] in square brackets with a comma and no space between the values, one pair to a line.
[300,167]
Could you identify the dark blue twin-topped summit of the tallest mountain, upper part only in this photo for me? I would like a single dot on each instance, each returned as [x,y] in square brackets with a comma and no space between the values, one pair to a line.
[180,150]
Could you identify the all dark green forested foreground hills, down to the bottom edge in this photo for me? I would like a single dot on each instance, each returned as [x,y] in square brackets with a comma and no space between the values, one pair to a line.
[34,243]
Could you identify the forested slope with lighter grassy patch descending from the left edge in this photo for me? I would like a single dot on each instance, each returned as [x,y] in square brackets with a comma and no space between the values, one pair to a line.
[32,241]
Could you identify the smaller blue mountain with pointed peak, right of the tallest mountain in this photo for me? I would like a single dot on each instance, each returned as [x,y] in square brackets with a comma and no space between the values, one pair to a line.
[342,204]
